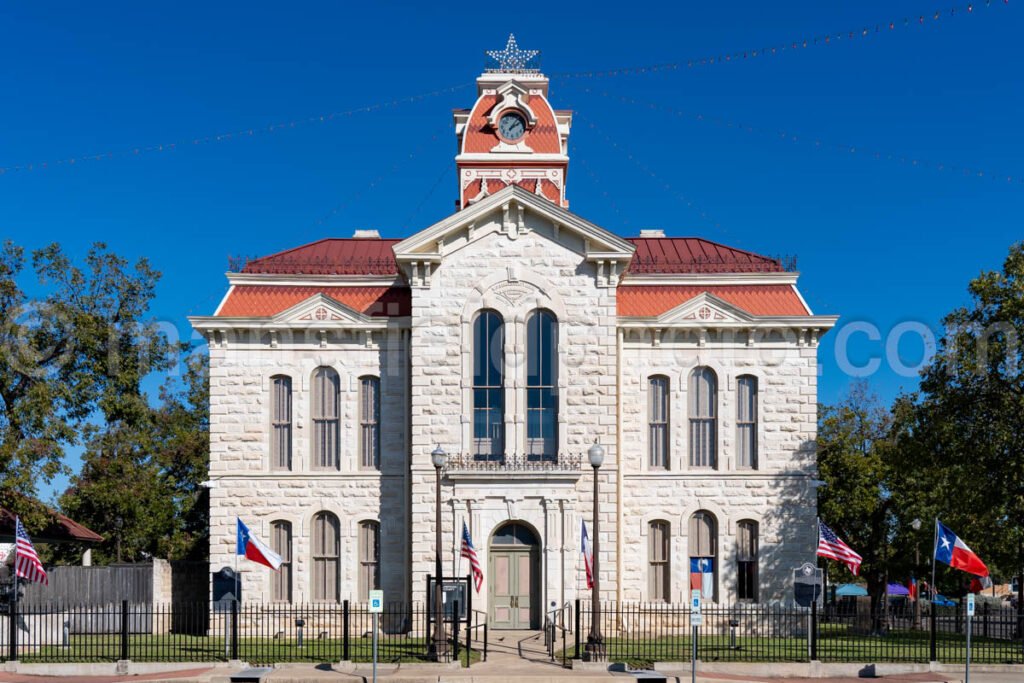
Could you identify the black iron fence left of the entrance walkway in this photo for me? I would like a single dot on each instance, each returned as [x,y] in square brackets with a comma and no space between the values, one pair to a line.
[255,633]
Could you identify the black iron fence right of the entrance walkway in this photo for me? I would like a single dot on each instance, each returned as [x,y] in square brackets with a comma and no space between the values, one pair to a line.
[645,633]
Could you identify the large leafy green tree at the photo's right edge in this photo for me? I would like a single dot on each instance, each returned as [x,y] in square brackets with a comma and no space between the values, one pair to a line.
[963,431]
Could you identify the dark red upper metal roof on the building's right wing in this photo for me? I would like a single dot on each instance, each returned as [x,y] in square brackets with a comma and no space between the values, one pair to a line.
[674,255]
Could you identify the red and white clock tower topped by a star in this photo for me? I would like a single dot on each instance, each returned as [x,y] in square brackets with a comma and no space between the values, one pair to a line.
[513,136]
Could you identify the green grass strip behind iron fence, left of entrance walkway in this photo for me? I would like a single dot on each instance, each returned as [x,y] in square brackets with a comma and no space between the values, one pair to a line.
[253,651]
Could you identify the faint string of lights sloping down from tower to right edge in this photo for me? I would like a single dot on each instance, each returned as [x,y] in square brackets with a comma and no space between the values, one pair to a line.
[819,144]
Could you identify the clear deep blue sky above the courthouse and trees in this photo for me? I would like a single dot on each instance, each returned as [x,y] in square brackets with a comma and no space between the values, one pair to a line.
[880,241]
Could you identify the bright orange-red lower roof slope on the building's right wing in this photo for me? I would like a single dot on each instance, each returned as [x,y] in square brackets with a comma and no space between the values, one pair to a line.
[652,301]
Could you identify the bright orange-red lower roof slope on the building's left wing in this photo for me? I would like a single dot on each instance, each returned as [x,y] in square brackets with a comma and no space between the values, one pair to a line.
[267,301]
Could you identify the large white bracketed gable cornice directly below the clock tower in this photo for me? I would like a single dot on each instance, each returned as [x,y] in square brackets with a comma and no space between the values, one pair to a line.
[507,209]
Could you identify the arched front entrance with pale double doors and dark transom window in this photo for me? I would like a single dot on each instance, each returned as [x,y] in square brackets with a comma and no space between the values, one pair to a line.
[515,561]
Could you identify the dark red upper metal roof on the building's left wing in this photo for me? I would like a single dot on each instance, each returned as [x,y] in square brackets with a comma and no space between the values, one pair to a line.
[332,257]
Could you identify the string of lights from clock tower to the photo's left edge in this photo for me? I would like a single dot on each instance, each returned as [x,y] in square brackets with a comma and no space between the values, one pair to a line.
[231,136]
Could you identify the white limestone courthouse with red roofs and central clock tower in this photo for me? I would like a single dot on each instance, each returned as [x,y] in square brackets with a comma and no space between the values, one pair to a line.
[514,334]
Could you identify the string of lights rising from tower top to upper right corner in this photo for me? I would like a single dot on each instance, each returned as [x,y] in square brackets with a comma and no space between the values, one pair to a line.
[839,37]
